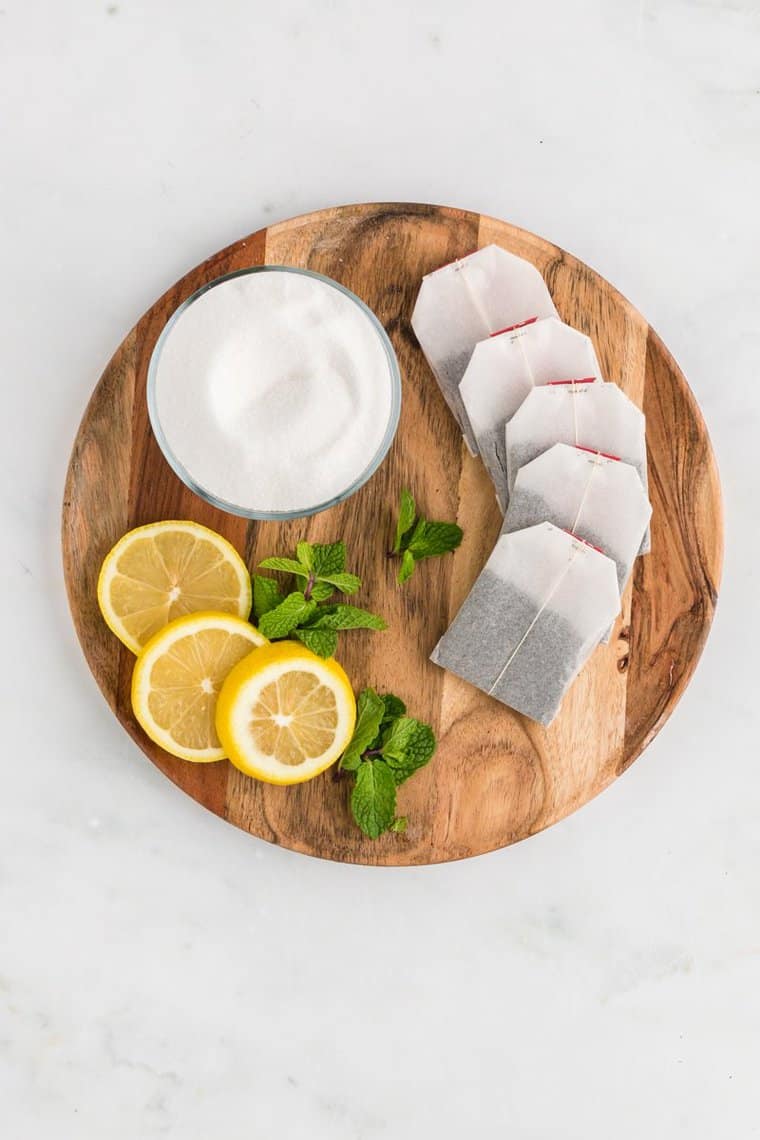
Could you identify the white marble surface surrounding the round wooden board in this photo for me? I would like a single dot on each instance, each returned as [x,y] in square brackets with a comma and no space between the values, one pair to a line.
[164,975]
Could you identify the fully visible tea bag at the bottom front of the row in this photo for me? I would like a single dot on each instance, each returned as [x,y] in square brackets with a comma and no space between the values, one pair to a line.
[533,618]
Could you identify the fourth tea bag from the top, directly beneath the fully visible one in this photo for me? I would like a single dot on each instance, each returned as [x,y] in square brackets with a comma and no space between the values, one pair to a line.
[600,500]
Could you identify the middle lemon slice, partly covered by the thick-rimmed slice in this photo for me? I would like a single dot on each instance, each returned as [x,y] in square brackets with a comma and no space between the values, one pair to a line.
[178,677]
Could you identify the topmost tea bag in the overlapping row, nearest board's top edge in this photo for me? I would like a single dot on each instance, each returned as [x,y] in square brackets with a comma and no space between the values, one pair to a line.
[464,303]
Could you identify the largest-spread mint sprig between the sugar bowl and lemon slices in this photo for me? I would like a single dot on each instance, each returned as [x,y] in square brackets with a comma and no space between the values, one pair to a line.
[320,573]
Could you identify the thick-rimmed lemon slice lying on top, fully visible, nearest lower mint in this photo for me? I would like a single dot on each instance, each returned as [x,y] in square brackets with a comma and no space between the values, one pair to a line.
[284,715]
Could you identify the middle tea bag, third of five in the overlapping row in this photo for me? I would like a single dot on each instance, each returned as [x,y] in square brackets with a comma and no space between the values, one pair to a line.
[598,417]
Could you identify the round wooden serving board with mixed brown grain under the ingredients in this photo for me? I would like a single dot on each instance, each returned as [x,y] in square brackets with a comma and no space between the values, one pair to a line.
[497,777]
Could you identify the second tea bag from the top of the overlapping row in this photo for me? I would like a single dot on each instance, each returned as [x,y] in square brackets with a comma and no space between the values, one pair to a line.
[502,372]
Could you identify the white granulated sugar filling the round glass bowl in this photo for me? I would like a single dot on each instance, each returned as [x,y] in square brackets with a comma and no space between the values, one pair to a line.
[274,392]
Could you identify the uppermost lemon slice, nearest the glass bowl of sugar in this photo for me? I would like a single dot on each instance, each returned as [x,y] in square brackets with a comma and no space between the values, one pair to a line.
[165,571]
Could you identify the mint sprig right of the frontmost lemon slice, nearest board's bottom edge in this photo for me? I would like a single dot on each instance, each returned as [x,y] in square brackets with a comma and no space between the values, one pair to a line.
[387,748]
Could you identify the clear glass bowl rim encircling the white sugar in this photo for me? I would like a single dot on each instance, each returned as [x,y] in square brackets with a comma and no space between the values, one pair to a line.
[395,381]
